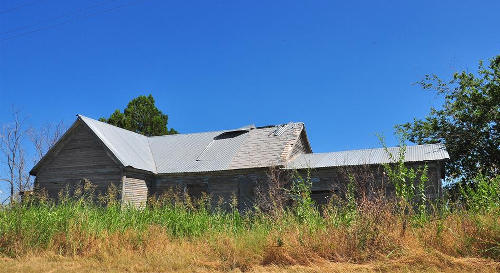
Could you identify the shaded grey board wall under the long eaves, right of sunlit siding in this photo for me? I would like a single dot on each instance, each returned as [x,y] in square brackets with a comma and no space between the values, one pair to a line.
[223,186]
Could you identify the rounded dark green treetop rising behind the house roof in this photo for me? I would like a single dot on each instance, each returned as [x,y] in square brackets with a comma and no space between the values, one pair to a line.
[141,116]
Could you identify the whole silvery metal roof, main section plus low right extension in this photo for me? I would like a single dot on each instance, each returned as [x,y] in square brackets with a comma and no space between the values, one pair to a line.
[247,147]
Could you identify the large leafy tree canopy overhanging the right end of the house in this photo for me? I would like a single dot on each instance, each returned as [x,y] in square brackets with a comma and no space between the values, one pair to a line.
[466,123]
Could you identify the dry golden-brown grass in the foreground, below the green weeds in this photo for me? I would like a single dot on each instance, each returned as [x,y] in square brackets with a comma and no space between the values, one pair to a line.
[330,250]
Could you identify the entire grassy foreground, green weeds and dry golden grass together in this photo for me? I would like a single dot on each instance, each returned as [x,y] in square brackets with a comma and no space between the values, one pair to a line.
[378,239]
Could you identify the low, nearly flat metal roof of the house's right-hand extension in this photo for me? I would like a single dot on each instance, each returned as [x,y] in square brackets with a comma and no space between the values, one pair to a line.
[427,152]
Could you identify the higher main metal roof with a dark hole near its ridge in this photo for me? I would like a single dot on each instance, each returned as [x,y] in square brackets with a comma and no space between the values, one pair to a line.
[246,147]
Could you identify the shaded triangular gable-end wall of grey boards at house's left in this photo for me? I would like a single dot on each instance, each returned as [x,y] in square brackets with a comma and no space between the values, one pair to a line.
[79,156]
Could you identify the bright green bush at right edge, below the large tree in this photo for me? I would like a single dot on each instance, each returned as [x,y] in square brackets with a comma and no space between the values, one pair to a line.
[482,195]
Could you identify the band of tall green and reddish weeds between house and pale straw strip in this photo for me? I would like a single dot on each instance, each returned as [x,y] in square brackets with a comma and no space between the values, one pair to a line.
[348,229]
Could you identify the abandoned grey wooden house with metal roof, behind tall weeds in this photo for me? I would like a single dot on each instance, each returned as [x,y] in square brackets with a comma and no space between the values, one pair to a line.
[221,164]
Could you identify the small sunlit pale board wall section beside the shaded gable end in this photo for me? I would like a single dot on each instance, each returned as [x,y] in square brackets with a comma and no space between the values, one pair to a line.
[135,189]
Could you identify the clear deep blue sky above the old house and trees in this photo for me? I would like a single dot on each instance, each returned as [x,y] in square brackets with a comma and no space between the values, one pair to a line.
[345,68]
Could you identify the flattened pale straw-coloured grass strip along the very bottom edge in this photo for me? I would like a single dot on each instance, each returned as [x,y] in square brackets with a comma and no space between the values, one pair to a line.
[190,262]
